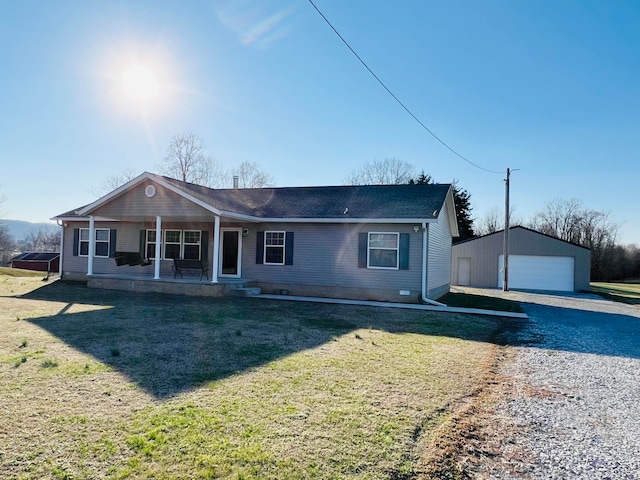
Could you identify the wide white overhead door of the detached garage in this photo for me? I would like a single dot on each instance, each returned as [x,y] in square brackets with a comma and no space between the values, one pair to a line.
[538,272]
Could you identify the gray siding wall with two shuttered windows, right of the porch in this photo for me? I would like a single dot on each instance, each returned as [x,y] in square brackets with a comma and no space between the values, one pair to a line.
[327,255]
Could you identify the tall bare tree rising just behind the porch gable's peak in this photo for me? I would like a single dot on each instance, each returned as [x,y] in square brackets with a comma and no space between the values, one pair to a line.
[186,161]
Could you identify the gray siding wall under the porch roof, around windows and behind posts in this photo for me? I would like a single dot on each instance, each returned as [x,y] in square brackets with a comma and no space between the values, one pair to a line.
[127,240]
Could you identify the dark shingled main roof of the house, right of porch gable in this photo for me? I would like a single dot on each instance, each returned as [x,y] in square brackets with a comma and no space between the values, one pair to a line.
[364,201]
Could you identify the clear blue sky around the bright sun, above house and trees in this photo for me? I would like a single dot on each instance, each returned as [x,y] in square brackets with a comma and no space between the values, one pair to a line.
[547,87]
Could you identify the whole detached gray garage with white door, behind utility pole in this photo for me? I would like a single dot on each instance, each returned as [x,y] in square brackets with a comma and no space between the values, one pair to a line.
[536,262]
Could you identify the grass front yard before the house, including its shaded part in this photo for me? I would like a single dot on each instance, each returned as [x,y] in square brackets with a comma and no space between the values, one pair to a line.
[105,384]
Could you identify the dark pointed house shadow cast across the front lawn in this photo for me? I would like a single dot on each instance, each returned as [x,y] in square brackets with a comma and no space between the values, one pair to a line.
[168,344]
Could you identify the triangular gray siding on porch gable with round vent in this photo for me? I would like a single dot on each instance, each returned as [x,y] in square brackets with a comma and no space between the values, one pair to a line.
[165,203]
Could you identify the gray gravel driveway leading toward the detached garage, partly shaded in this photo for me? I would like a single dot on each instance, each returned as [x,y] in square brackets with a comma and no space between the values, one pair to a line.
[572,408]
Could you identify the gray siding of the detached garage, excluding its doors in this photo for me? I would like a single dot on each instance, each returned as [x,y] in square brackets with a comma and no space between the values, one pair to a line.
[485,251]
